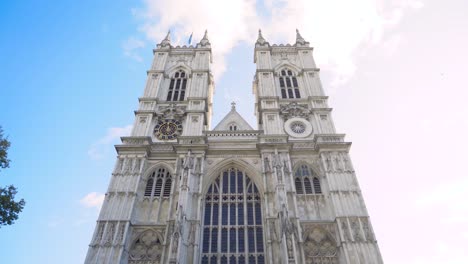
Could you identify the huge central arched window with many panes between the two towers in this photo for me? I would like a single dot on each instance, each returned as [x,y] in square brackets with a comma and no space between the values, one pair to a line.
[232,224]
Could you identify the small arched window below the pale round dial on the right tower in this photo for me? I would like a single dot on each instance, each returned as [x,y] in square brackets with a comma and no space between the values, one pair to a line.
[306,181]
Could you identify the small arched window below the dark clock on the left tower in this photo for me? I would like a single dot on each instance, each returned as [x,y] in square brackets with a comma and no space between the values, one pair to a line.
[159,183]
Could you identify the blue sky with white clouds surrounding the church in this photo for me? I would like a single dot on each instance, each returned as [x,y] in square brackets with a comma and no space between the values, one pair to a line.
[72,71]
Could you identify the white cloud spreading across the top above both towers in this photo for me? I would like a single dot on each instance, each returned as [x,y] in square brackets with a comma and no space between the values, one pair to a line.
[338,28]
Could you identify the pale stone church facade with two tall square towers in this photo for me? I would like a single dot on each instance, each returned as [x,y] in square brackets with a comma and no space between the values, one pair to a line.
[284,193]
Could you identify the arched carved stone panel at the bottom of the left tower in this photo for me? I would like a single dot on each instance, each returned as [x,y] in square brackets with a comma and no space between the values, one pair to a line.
[147,248]
